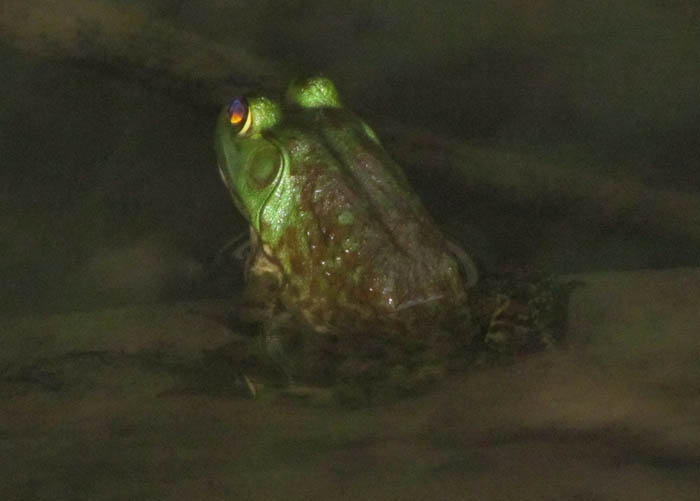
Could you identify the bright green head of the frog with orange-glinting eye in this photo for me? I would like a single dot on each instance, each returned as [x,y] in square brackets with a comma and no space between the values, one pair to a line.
[261,141]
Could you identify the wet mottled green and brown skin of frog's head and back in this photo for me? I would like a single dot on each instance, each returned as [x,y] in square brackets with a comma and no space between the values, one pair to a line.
[339,238]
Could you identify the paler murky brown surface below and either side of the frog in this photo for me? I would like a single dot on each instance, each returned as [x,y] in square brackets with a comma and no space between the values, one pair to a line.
[132,401]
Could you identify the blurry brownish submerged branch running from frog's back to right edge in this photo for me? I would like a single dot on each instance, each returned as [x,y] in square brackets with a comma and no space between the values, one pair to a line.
[591,196]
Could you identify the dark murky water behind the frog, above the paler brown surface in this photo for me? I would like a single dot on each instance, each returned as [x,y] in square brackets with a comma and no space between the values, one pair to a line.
[108,186]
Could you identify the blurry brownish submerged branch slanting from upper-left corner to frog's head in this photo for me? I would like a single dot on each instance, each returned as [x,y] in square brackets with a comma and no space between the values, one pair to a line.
[124,41]
